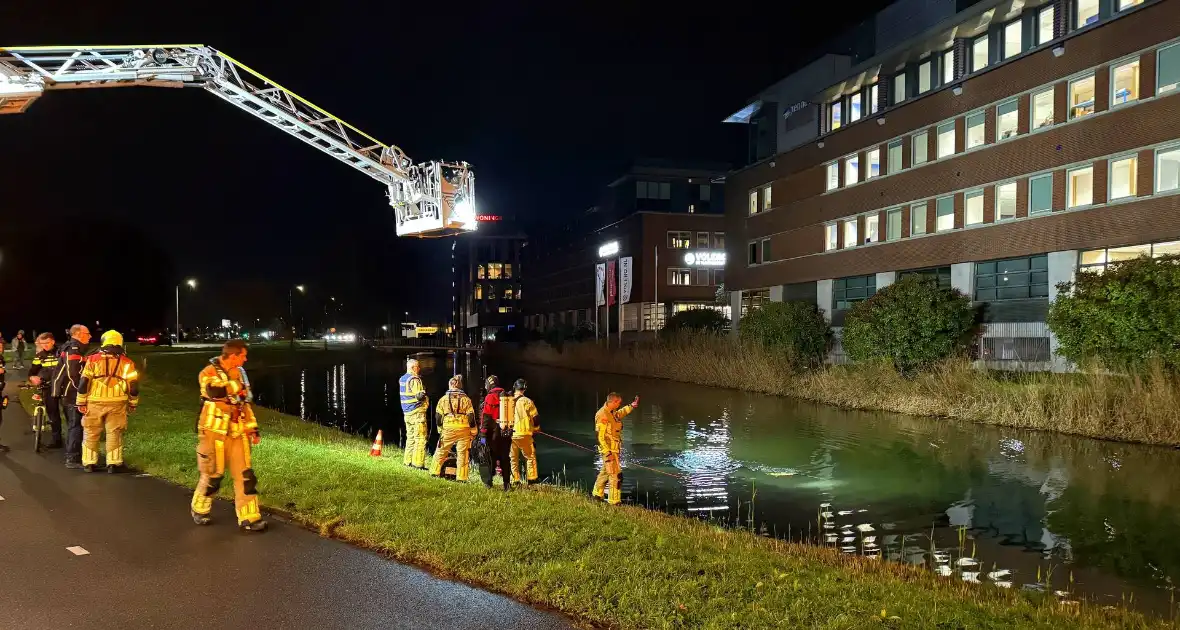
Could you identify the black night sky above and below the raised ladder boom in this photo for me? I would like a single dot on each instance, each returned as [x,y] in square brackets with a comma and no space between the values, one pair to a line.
[548,101]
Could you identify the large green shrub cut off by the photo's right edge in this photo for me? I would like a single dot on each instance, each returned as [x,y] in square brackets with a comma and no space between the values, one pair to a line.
[1124,318]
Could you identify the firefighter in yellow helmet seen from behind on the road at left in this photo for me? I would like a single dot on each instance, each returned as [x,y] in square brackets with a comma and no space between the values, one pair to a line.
[109,390]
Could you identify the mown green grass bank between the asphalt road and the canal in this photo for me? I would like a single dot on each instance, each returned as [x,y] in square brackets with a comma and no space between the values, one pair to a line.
[609,567]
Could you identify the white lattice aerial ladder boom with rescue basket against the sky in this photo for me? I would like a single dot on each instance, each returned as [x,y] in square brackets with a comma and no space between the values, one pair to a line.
[431,199]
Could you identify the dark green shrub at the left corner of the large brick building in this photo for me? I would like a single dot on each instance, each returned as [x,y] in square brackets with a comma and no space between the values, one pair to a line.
[797,329]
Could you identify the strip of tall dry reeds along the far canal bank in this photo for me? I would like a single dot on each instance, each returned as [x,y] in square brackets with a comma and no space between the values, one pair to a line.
[1140,409]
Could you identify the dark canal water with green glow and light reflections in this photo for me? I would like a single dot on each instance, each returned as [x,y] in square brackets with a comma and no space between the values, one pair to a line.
[1025,510]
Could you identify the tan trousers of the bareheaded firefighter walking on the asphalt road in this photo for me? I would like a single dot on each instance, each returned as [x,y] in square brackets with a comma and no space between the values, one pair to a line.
[214,452]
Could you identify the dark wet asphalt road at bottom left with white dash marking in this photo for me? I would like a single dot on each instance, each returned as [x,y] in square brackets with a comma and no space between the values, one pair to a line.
[147,566]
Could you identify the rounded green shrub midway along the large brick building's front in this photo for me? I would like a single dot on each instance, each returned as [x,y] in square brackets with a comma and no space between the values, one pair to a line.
[913,324]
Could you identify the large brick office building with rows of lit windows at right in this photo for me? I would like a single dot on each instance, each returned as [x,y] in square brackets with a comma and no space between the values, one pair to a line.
[998,149]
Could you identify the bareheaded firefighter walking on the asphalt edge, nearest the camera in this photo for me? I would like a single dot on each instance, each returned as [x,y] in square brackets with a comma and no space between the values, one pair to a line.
[227,430]
